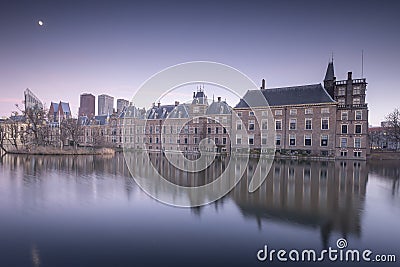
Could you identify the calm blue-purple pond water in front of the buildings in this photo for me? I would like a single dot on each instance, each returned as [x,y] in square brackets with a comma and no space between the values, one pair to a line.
[88,211]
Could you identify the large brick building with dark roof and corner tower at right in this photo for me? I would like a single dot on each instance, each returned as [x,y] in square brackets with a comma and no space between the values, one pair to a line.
[316,120]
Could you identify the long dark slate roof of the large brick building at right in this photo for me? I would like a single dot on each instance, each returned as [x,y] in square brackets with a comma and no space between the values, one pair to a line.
[295,95]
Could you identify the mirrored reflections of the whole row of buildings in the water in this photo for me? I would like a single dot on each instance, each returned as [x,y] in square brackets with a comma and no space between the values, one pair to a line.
[328,196]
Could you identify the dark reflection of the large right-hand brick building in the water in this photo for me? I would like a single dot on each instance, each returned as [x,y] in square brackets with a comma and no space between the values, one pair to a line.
[324,195]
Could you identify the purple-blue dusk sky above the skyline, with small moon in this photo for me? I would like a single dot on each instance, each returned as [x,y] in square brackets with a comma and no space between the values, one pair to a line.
[112,47]
